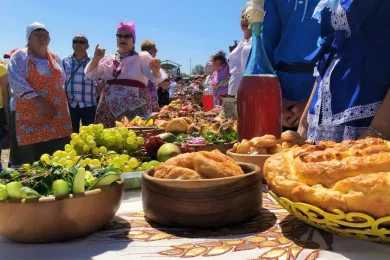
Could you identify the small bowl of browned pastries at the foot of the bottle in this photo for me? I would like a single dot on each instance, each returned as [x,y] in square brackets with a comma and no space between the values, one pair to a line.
[259,149]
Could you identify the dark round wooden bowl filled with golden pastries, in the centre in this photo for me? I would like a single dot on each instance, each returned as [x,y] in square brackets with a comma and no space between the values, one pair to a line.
[202,189]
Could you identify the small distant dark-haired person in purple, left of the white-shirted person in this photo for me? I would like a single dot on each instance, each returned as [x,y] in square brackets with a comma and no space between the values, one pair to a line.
[220,76]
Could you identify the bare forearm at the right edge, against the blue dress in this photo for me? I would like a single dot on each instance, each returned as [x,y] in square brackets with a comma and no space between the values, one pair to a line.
[381,120]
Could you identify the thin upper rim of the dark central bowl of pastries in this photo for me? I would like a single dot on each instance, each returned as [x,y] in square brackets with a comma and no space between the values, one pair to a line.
[256,169]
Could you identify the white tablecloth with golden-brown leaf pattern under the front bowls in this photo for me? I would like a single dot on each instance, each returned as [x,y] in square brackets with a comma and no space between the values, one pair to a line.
[275,234]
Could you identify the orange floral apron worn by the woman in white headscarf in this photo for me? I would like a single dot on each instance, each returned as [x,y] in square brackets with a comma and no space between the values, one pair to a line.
[31,126]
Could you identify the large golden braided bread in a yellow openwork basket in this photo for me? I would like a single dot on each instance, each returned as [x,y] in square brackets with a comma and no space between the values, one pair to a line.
[343,188]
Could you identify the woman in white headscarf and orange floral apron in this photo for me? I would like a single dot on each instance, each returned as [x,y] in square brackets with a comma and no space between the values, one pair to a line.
[41,121]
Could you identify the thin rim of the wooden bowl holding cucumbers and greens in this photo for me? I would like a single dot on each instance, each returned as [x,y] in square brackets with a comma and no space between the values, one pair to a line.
[57,199]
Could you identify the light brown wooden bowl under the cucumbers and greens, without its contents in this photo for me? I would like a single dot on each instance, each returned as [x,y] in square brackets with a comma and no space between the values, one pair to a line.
[54,220]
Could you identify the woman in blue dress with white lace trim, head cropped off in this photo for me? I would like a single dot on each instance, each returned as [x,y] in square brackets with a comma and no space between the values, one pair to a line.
[351,98]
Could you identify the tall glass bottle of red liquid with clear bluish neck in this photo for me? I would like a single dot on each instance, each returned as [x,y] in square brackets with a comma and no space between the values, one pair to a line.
[259,97]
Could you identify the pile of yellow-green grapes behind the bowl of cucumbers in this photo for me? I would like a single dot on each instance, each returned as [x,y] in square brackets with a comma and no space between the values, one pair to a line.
[95,147]
